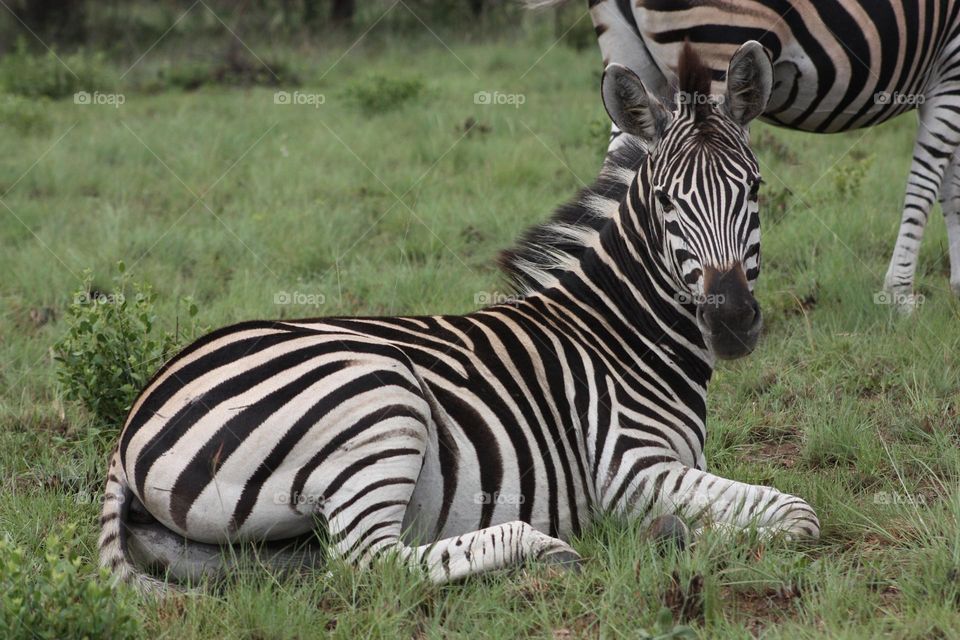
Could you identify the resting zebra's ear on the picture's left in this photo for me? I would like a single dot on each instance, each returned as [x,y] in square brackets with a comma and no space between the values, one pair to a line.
[631,107]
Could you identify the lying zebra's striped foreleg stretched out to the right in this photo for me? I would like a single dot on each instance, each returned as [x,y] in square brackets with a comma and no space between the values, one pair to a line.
[707,499]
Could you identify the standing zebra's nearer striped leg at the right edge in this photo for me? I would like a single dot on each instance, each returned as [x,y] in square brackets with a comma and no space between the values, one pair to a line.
[937,140]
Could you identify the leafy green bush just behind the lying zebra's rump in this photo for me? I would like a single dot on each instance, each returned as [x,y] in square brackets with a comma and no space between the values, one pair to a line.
[112,346]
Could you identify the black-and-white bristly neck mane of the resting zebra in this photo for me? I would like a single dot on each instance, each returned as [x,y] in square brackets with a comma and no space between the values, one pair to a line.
[547,250]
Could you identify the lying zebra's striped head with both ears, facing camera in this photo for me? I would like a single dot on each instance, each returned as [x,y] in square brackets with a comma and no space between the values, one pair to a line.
[698,188]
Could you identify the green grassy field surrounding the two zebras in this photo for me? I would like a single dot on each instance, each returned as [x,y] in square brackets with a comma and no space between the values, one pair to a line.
[394,196]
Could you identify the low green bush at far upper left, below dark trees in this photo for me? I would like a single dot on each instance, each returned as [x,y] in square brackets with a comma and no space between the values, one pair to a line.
[26,73]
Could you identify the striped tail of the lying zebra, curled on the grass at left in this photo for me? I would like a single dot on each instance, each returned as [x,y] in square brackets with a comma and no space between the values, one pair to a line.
[113,533]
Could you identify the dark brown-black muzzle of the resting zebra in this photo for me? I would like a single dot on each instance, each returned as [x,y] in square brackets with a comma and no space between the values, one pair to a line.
[728,314]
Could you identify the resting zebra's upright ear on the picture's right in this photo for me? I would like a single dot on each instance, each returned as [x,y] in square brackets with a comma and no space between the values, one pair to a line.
[749,82]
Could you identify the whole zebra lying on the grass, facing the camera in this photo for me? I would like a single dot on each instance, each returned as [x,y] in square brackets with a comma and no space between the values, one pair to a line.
[465,444]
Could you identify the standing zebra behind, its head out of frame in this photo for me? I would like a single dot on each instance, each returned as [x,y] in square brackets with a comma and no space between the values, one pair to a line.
[839,65]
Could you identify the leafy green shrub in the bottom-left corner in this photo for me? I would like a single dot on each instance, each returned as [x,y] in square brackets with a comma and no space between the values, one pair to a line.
[53,598]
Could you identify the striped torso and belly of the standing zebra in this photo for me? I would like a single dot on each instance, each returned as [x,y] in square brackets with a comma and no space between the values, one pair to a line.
[831,57]
